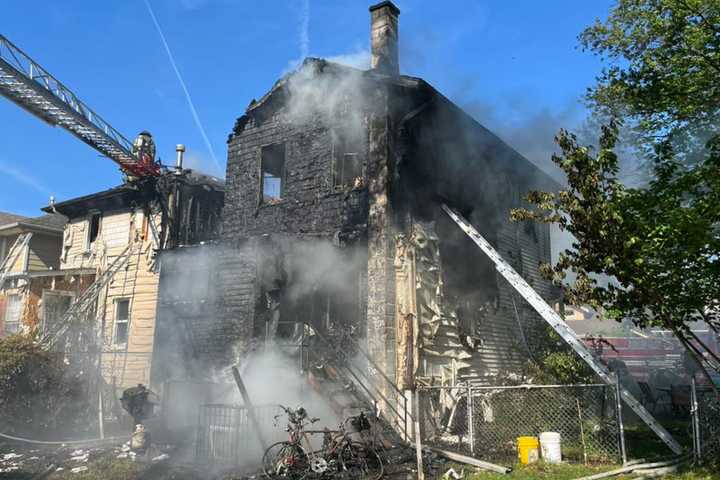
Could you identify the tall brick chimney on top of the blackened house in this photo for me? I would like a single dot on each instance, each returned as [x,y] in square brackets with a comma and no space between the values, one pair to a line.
[384,38]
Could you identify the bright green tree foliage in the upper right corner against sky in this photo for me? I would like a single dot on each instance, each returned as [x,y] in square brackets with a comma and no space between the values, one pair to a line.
[663,64]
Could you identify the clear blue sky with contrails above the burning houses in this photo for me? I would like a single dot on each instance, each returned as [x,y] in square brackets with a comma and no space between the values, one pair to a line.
[516,66]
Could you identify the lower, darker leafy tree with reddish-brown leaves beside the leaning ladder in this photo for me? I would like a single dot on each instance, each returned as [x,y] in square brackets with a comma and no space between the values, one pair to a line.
[659,244]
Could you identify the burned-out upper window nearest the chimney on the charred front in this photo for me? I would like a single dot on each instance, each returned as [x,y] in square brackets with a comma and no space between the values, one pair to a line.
[348,158]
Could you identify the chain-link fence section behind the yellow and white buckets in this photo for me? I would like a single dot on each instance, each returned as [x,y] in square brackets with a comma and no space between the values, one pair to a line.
[586,416]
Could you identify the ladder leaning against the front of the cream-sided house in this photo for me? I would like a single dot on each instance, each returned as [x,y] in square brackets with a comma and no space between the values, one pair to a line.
[86,301]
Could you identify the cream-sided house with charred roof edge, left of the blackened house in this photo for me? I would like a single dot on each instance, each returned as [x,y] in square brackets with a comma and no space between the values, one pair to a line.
[117,234]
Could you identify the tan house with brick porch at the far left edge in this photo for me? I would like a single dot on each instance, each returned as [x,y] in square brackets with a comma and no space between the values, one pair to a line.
[34,292]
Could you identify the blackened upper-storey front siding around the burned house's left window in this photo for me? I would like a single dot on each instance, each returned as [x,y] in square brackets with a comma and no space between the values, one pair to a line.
[310,204]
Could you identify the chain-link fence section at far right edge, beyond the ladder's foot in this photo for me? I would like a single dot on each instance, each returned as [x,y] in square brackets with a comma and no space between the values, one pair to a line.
[705,416]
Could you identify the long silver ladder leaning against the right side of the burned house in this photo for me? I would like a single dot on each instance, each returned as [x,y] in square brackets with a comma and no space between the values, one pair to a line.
[558,324]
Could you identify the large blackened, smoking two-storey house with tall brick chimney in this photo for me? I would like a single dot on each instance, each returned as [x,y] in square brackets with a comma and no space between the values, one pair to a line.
[332,225]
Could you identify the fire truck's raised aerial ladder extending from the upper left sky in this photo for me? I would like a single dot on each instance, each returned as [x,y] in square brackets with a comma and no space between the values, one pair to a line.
[31,87]
